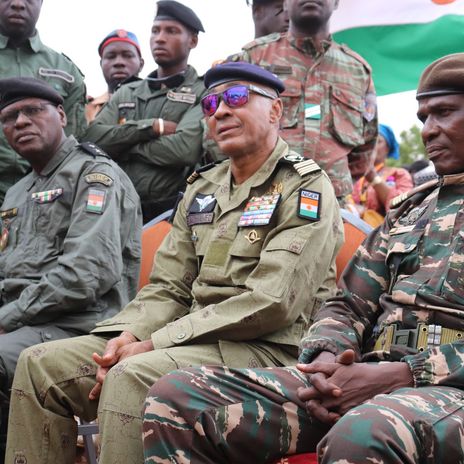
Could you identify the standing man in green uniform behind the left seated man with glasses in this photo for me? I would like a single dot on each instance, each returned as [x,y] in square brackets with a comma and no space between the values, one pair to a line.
[22,53]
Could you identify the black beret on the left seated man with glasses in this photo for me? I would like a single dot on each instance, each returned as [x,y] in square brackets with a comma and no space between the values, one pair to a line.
[18,88]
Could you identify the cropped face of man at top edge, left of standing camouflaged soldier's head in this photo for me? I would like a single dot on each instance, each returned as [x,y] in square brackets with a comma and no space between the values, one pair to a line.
[268,16]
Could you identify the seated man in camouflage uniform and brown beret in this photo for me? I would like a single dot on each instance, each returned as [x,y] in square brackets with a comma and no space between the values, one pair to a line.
[380,377]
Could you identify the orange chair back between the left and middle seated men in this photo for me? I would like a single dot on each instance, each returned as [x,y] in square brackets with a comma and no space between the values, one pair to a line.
[152,235]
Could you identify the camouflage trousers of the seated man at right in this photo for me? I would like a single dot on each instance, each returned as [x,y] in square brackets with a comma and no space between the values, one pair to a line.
[219,415]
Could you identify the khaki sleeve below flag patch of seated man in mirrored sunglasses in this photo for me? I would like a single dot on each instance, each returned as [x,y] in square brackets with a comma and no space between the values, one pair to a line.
[275,294]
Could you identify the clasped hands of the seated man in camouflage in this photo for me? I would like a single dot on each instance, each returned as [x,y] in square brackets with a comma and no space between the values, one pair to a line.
[342,384]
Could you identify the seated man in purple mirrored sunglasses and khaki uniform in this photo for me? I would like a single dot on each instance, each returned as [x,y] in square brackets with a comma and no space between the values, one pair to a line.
[248,260]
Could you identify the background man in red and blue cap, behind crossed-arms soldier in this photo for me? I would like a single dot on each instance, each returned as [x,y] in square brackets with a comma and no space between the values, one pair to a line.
[121,61]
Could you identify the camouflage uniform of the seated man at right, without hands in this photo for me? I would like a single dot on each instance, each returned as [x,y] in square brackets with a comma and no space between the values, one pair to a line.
[408,272]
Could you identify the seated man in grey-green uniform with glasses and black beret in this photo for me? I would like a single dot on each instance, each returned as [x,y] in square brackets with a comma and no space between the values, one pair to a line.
[70,230]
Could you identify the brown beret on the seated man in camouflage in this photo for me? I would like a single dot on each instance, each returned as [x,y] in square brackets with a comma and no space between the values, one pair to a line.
[444,76]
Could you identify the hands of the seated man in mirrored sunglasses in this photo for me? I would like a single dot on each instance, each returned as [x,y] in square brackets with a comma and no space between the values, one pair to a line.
[116,350]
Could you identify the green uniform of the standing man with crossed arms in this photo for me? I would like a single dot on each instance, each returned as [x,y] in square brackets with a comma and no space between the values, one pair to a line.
[158,166]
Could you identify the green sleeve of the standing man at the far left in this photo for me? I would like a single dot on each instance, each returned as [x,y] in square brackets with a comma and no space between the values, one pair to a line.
[74,106]
